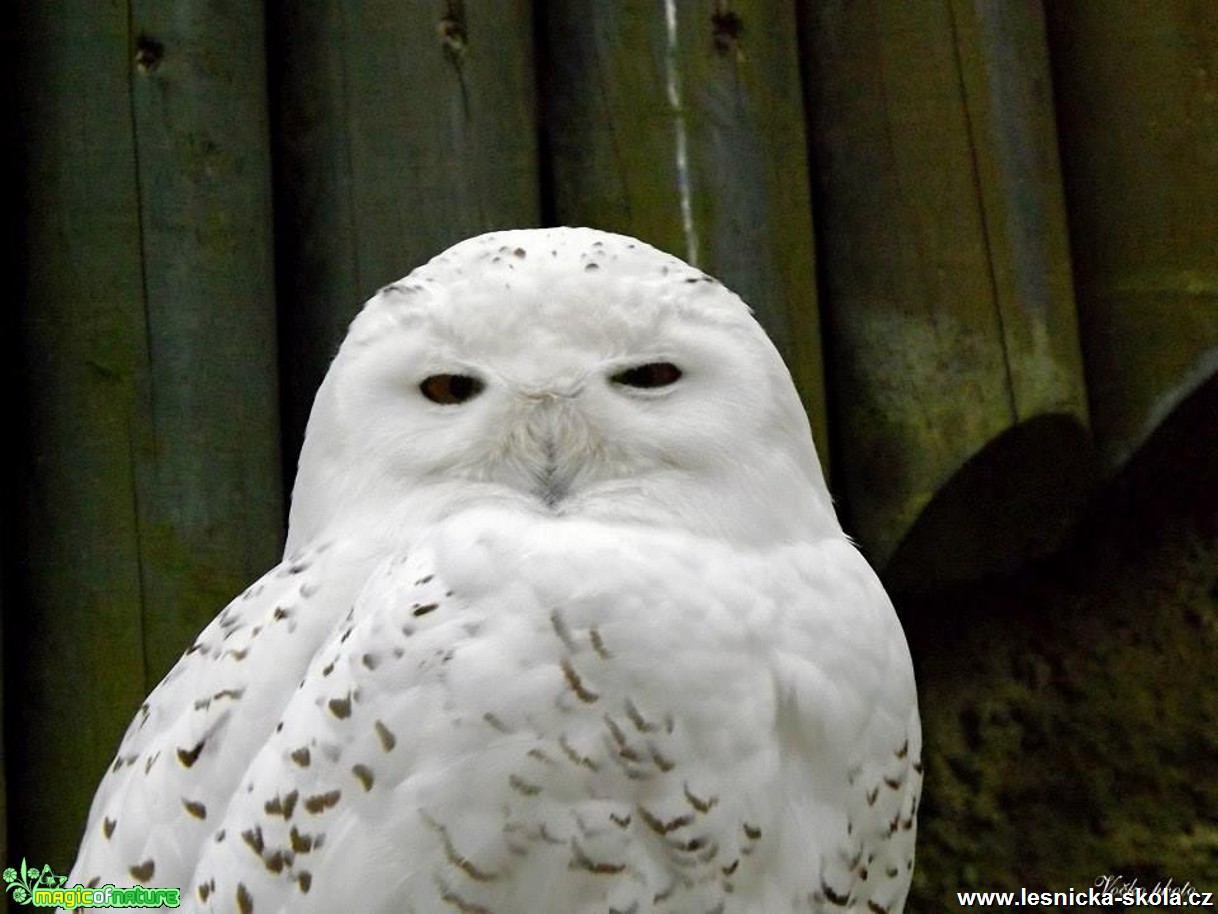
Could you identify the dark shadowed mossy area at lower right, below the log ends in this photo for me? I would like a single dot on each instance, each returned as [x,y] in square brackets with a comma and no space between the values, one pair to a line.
[1070,707]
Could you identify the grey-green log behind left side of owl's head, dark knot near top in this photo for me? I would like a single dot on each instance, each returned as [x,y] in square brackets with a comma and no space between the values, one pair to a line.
[401,129]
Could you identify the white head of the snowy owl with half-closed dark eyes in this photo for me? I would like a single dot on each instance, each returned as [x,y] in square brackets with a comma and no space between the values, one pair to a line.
[568,374]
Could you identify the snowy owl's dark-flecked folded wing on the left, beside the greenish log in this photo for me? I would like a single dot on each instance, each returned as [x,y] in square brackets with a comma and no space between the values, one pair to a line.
[192,740]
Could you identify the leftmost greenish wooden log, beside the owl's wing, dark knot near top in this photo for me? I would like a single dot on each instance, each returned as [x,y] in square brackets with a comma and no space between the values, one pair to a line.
[153,491]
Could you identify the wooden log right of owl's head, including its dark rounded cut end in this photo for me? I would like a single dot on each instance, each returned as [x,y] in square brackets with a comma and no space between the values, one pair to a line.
[947,280]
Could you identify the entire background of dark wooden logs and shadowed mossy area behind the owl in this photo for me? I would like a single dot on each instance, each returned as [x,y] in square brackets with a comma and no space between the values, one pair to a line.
[982,235]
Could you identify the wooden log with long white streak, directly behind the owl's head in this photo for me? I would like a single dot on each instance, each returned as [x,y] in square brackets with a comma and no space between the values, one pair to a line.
[683,125]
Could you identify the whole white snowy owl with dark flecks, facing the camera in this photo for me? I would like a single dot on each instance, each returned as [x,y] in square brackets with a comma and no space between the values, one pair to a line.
[567,625]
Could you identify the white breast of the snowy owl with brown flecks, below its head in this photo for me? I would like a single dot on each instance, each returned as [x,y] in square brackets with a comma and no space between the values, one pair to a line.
[605,712]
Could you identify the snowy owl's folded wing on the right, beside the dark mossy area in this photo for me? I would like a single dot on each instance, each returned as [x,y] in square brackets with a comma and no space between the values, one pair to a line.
[851,720]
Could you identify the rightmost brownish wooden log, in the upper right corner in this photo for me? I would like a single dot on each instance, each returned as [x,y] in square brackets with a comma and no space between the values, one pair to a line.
[1137,87]
